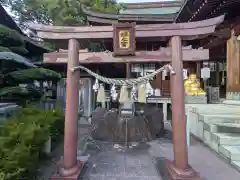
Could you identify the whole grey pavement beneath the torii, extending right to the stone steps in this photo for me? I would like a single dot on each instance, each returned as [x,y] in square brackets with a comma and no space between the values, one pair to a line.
[146,162]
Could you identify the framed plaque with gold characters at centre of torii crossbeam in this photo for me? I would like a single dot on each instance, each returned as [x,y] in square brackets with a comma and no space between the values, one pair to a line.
[124,39]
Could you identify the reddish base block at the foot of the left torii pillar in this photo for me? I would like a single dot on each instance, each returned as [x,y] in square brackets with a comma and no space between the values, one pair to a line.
[69,174]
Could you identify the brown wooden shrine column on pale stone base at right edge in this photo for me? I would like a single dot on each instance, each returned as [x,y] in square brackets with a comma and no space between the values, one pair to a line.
[233,71]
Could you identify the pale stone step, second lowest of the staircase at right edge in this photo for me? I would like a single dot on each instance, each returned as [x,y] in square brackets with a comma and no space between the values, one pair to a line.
[230,152]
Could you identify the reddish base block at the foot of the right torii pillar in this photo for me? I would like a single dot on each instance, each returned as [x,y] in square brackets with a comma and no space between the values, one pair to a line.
[177,174]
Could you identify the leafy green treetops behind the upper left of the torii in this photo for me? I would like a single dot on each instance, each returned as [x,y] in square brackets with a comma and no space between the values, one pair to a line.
[57,12]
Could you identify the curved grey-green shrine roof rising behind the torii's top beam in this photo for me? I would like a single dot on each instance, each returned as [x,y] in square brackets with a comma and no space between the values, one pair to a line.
[137,12]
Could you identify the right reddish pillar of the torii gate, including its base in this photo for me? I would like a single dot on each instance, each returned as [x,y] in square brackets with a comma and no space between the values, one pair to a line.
[179,168]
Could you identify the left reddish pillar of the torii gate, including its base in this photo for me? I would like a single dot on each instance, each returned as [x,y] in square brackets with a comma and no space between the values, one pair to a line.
[70,167]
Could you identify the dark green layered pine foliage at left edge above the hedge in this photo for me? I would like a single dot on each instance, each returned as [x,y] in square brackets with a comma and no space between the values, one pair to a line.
[15,69]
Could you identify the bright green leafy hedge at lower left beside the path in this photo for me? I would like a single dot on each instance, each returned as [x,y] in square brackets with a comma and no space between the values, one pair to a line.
[22,139]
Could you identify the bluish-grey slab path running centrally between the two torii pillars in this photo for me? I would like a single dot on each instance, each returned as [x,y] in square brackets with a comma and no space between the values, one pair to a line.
[128,164]
